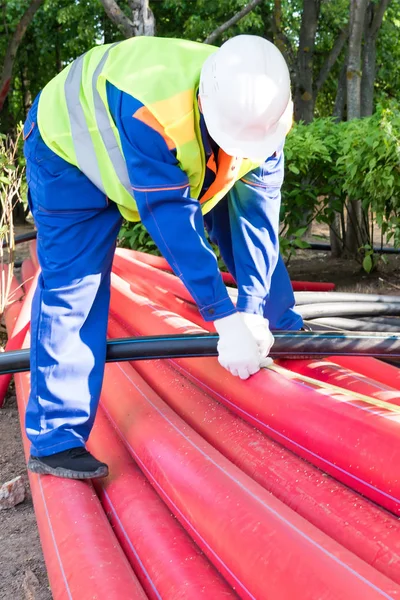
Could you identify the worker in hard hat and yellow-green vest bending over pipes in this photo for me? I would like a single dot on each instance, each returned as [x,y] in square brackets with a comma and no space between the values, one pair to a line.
[186,138]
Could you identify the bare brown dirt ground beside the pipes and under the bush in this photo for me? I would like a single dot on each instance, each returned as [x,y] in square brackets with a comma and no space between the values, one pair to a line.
[22,569]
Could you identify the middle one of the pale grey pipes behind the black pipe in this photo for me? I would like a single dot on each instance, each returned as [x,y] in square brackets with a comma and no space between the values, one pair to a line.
[347,309]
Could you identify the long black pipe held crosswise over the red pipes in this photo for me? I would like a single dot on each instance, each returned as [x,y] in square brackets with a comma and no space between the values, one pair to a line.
[288,344]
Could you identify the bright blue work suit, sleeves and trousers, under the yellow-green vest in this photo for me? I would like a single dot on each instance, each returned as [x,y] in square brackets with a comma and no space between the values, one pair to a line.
[77,229]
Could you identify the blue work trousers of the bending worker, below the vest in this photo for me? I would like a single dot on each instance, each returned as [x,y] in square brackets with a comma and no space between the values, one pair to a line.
[77,230]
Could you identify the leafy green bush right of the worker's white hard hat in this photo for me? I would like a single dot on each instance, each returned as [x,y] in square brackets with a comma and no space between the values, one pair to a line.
[326,163]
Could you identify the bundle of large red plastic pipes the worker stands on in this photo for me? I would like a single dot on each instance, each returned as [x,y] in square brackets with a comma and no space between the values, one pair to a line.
[225,460]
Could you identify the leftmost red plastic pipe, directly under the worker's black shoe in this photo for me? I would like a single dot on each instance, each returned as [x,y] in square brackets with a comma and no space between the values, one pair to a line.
[82,555]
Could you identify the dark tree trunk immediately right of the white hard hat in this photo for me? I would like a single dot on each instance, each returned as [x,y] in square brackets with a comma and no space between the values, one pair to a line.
[304,92]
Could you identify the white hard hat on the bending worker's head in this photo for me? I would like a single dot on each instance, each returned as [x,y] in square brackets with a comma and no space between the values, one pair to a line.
[245,97]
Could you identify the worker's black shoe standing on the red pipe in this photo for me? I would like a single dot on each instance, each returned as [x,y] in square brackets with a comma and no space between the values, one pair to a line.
[75,463]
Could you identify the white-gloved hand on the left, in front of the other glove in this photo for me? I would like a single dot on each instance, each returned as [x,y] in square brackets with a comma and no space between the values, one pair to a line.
[237,348]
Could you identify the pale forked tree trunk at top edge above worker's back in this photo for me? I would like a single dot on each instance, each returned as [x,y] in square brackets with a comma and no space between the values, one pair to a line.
[141,22]
